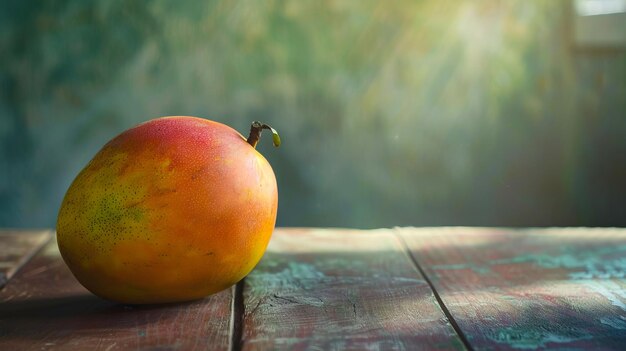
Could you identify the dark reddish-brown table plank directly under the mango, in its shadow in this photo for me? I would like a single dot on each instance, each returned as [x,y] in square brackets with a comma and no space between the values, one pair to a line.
[44,307]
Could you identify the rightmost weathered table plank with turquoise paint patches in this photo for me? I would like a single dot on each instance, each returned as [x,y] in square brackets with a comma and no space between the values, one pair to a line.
[529,289]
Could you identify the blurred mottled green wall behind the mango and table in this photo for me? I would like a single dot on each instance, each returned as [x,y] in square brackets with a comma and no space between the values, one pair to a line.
[391,113]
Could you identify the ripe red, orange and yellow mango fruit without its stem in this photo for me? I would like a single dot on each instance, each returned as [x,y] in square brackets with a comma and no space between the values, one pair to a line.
[174,209]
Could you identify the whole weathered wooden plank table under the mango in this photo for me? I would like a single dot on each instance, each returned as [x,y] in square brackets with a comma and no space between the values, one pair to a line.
[336,289]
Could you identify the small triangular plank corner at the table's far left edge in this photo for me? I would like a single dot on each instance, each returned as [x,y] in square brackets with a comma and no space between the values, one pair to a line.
[16,248]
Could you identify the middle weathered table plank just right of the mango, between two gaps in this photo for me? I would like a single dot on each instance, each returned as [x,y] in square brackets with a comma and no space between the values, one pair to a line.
[338,290]
